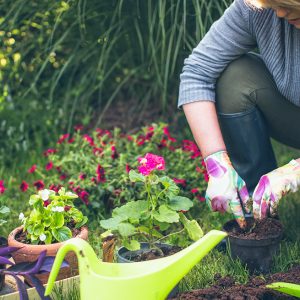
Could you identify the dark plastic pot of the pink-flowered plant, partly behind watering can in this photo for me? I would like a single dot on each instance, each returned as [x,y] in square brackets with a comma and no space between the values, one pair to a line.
[126,256]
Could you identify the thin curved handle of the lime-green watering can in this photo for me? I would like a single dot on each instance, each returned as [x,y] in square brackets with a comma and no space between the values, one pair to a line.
[83,251]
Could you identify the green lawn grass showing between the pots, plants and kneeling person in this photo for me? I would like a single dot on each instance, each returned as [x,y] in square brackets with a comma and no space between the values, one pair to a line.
[203,274]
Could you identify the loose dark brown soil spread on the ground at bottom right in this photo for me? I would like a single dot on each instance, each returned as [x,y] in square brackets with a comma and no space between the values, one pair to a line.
[226,289]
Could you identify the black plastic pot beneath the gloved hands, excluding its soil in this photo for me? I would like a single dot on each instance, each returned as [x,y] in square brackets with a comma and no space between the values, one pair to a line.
[257,254]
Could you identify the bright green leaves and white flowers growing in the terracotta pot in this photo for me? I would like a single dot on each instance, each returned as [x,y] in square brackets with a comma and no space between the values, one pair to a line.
[52,215]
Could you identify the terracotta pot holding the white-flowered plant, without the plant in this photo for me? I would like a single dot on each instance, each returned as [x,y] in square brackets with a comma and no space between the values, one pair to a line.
[30,253]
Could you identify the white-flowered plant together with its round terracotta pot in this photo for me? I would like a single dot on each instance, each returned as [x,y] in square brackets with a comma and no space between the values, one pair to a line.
[52,220]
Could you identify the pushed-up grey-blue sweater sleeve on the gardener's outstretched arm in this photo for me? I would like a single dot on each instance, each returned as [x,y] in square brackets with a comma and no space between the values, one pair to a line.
[227,39]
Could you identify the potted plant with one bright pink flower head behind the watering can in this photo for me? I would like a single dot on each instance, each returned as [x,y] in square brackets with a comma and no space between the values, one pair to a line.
[149,220]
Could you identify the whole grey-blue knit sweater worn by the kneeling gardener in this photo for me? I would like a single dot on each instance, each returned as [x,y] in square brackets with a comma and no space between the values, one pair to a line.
[238,31]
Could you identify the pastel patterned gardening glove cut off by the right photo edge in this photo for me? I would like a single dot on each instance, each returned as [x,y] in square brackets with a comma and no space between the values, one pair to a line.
[272,186]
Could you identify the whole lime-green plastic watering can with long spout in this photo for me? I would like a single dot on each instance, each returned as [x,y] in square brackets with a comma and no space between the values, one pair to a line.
[134,281]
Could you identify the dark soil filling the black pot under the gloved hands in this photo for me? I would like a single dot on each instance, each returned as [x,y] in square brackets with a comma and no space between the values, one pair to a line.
[256,229]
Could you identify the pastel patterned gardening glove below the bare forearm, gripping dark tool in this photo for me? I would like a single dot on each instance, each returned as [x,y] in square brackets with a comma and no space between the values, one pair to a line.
[226,190]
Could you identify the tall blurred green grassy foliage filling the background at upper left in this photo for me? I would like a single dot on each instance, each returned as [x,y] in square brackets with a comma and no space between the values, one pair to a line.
[62,60]
